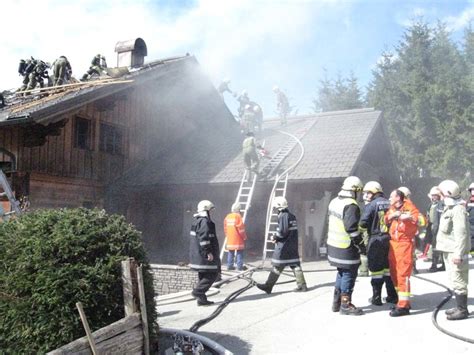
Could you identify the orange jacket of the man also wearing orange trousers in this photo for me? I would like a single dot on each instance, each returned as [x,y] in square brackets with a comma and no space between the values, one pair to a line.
[403,230]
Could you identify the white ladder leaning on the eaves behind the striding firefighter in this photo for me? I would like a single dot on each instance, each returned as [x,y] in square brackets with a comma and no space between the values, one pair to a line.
[279,189]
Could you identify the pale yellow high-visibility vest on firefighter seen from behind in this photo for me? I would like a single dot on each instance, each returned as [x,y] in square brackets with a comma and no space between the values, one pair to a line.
[337,235]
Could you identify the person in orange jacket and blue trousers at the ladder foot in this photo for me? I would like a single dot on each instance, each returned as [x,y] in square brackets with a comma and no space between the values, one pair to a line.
[234,230]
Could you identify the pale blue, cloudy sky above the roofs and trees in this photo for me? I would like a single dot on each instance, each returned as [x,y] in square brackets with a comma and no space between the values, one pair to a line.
[257,44]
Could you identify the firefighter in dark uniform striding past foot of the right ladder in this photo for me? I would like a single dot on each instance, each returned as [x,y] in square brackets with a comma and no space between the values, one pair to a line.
[286,248]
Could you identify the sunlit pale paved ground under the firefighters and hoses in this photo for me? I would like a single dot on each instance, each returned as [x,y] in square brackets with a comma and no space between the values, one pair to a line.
[302,323]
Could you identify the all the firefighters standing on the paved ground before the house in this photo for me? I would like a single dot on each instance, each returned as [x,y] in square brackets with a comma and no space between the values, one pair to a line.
[390,225]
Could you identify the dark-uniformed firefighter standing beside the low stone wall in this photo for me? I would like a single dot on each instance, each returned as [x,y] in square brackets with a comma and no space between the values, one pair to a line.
[204,252]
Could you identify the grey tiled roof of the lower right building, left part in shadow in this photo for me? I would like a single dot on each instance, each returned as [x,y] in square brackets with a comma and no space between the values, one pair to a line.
[333,145]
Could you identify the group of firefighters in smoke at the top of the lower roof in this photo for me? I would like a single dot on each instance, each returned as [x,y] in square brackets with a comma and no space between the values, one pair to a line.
[250,113]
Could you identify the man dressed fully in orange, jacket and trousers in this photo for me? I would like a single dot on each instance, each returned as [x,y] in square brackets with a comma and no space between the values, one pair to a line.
[402,217]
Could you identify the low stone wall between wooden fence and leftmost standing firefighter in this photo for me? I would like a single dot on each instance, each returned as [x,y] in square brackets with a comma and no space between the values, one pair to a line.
[172,278]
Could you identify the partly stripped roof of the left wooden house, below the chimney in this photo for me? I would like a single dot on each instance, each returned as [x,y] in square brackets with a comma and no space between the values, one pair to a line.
[45,110]
